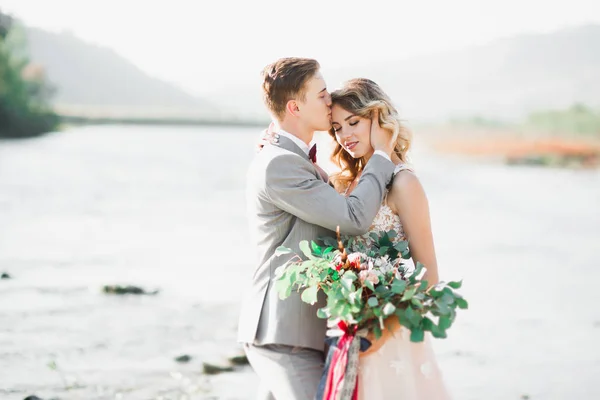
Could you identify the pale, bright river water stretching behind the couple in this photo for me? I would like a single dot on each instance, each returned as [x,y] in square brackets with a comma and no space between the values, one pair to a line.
[163,207]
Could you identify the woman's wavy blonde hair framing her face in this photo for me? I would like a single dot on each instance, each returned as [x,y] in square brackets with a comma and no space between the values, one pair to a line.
[362,97]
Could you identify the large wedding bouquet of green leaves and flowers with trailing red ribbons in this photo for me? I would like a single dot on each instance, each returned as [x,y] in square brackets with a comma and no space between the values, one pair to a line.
[366,285]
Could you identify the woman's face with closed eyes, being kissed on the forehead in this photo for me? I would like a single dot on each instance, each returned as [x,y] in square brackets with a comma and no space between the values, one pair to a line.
[352,132]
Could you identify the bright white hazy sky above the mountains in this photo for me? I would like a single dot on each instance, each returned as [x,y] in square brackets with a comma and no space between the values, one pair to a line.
[204,45]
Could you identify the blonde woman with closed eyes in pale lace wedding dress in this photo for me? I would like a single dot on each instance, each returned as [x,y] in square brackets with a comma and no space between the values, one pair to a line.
[393,367]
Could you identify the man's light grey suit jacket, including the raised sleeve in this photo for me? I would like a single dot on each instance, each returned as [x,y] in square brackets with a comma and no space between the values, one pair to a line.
[287,202]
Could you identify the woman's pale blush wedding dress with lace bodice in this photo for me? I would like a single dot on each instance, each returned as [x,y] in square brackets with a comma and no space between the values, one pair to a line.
[400,369]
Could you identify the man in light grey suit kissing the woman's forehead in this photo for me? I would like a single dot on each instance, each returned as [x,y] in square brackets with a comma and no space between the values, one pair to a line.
[287,202]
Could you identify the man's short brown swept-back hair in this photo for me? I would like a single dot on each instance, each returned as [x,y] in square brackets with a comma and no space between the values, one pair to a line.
[284,80]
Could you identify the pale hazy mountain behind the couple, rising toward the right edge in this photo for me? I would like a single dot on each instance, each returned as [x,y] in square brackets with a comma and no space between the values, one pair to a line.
[506,78]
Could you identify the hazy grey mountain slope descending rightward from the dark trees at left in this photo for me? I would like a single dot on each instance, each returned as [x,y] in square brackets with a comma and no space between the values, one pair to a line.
[91,75]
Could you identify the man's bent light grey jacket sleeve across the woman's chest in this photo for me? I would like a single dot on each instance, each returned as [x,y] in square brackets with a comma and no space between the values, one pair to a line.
[292,186]
